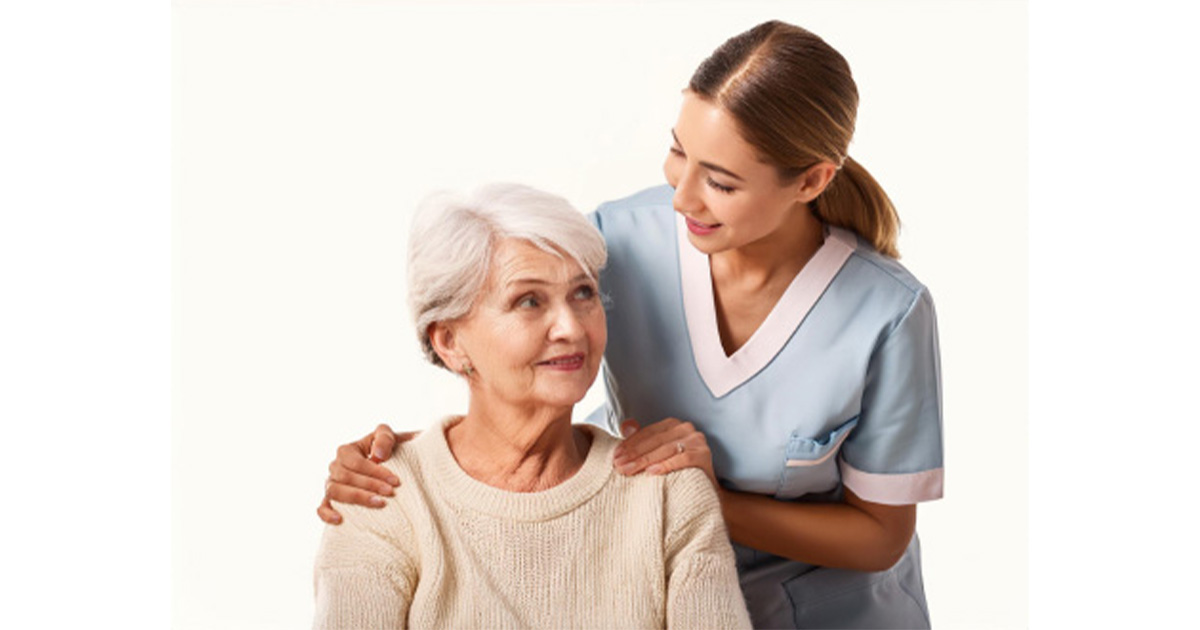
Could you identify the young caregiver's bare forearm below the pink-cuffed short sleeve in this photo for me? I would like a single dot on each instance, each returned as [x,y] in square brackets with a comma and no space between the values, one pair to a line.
[839,536]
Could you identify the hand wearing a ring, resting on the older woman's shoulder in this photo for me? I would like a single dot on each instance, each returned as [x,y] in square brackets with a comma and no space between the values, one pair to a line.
[664,447]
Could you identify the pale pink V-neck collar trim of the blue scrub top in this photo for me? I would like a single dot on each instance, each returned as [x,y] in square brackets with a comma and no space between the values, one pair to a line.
[723,374]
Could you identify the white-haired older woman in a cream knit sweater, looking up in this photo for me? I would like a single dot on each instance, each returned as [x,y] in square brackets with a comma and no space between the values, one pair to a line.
[509,515]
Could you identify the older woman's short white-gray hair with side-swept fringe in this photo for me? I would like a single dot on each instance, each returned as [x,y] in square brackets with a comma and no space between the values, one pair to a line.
[453,238]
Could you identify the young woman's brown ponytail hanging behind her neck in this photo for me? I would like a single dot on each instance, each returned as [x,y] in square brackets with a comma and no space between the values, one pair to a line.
[856,202]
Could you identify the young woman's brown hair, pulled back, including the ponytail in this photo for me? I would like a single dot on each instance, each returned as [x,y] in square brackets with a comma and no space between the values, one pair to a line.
[795,100]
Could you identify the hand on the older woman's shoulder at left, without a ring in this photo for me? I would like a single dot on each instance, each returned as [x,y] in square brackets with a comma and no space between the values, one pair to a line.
[353,478]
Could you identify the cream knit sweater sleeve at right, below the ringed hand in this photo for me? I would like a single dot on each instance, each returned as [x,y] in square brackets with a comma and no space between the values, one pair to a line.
[703,578]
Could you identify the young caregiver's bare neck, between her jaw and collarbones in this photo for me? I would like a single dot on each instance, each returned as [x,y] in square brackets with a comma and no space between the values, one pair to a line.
[781,255]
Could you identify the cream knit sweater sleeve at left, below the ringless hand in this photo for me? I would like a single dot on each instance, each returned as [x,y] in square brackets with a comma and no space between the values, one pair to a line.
[367,569]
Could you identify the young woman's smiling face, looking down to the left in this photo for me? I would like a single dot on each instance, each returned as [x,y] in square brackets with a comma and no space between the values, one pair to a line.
[728,195]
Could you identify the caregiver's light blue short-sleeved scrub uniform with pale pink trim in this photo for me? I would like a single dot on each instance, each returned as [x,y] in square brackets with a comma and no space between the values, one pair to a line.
[841,387]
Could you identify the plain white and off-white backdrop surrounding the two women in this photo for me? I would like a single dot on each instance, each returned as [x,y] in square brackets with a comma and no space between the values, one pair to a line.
[115,517]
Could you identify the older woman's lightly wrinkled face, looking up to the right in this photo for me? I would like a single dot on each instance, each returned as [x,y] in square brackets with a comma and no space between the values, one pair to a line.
[537,334]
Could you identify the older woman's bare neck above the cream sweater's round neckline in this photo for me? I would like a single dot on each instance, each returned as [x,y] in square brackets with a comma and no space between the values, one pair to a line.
[515,449]
